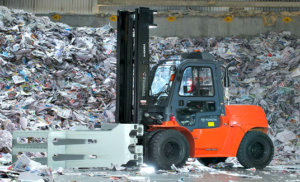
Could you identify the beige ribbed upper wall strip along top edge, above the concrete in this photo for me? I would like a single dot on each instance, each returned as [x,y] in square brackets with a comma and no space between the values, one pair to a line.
[89,7]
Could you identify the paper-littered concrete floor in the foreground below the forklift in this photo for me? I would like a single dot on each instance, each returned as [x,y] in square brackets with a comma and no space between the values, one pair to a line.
[271,173]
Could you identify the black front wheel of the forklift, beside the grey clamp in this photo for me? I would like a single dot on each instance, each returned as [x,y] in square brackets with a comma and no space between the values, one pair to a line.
[168,147]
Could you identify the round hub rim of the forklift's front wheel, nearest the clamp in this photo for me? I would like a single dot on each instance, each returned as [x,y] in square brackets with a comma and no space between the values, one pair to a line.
[171,150]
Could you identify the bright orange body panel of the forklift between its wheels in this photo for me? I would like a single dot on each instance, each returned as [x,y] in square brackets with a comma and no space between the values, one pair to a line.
[224,140]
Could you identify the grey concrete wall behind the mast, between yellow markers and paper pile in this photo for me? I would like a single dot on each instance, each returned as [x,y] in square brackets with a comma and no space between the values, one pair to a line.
[197,26]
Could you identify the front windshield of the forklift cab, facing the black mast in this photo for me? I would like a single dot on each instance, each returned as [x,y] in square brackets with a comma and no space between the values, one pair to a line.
[161,81]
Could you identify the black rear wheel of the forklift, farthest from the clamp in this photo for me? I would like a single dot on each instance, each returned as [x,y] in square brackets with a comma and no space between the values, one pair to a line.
[256,150]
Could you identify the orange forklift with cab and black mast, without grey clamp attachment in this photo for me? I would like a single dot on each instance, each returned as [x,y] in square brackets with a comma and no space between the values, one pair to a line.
[181,104]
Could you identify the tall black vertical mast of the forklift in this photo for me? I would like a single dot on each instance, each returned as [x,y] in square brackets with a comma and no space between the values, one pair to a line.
[133,64]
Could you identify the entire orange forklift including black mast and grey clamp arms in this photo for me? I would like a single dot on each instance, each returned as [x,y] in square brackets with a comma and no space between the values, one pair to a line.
[165,113]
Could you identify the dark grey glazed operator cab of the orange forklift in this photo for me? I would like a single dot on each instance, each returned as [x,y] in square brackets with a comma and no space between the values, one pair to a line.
[189,89]
